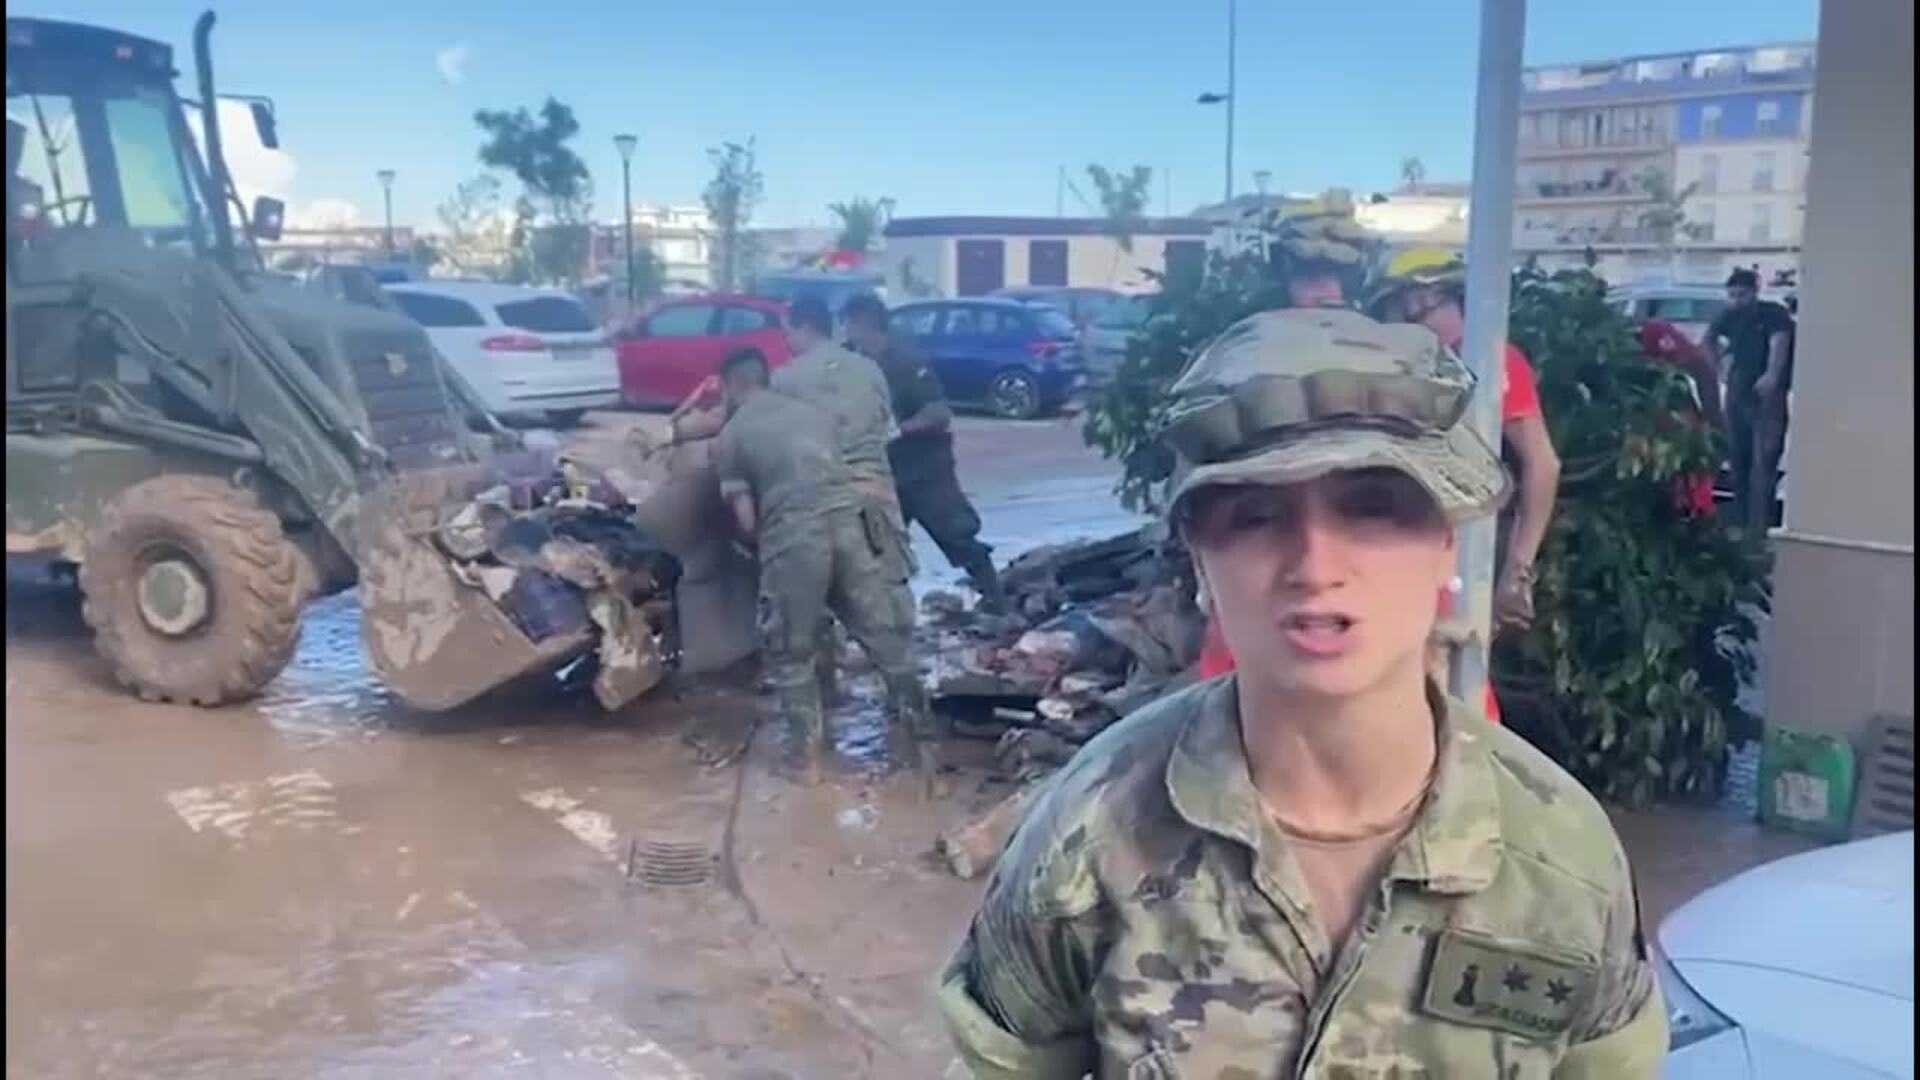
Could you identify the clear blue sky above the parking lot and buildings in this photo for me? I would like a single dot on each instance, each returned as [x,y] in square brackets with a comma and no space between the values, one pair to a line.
[949,109]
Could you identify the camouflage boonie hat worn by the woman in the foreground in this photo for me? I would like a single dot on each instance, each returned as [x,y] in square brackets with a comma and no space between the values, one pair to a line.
[1287,397]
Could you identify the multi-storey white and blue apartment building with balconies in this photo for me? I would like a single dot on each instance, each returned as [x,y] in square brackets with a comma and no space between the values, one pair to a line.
[1675,166]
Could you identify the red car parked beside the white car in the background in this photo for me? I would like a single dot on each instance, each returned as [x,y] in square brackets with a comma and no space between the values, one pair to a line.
[673,349]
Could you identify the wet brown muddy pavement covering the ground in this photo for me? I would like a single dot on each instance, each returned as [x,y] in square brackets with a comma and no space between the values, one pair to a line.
[325,885]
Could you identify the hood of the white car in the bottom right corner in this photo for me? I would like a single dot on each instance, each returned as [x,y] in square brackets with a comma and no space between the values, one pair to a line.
[1840,916]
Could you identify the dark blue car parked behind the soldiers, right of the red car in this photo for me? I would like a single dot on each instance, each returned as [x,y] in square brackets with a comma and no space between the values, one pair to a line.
[1017,360]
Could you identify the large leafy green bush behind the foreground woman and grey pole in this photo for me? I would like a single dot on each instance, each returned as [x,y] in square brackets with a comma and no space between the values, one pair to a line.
[1644,602]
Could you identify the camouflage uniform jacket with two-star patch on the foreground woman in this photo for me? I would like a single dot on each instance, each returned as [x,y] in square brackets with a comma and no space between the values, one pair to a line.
[1149,921]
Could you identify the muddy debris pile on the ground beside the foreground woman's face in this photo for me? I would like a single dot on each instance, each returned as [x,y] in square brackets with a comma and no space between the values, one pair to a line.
[1099,629]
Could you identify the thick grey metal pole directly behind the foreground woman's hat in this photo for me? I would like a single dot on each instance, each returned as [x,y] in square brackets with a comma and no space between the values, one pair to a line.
[1489,251]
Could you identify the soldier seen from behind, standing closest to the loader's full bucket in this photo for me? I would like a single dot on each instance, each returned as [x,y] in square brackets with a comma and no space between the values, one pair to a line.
[821,551]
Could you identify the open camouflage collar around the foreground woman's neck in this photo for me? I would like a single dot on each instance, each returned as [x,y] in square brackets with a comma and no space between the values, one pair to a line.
[1454,845]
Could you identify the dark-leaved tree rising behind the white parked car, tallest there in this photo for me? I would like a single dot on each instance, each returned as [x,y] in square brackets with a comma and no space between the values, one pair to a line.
[550,232]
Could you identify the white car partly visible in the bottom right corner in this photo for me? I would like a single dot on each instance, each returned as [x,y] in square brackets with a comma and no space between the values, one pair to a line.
[1802,968]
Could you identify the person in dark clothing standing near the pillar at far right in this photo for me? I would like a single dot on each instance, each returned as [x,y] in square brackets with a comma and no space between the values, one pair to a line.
[1760,372]
